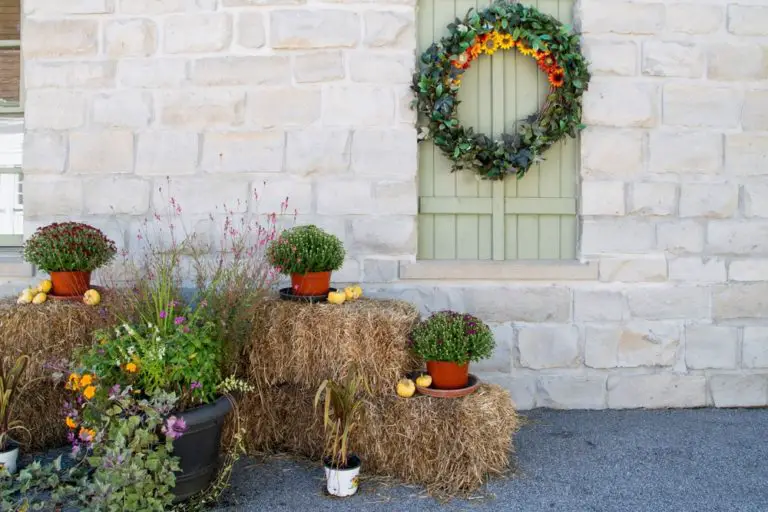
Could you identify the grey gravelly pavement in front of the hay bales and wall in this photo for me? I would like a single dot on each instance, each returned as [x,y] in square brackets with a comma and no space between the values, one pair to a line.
[680,460]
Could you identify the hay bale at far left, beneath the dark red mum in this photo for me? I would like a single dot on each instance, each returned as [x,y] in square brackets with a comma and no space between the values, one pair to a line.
[49,333]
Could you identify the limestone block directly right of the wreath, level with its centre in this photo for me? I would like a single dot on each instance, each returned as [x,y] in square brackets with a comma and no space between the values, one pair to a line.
[616,103]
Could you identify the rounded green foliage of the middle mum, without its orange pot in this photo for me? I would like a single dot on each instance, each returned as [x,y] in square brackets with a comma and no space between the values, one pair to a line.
[304,249]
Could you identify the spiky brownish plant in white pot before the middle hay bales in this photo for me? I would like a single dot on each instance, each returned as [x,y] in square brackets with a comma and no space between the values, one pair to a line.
[341,414]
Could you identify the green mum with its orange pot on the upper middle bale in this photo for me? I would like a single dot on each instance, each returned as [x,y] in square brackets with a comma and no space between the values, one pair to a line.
[309,255]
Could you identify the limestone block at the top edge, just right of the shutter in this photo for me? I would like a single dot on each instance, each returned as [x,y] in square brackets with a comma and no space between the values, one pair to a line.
[621,17]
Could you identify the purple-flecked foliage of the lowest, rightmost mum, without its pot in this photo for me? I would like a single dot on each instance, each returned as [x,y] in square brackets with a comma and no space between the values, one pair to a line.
[452,337]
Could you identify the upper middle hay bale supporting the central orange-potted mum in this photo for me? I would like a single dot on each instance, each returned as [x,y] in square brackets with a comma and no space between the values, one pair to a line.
[303,344]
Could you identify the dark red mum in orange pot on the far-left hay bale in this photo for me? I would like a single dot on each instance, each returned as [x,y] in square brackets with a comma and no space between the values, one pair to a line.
[69,252]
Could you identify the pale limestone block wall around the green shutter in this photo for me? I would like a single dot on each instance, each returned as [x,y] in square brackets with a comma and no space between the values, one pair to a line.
[669,304]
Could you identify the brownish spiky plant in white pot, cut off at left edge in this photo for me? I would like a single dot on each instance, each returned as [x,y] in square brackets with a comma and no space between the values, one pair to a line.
[10,390]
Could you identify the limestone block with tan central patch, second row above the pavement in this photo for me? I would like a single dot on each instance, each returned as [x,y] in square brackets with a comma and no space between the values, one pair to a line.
[633,345]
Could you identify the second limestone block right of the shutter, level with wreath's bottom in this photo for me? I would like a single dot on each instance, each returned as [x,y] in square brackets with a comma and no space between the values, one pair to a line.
[685,152]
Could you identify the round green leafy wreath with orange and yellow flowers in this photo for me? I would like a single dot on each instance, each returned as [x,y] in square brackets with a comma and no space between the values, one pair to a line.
[502,26]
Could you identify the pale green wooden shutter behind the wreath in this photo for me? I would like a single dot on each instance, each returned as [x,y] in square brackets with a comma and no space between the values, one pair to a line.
[461,217]
